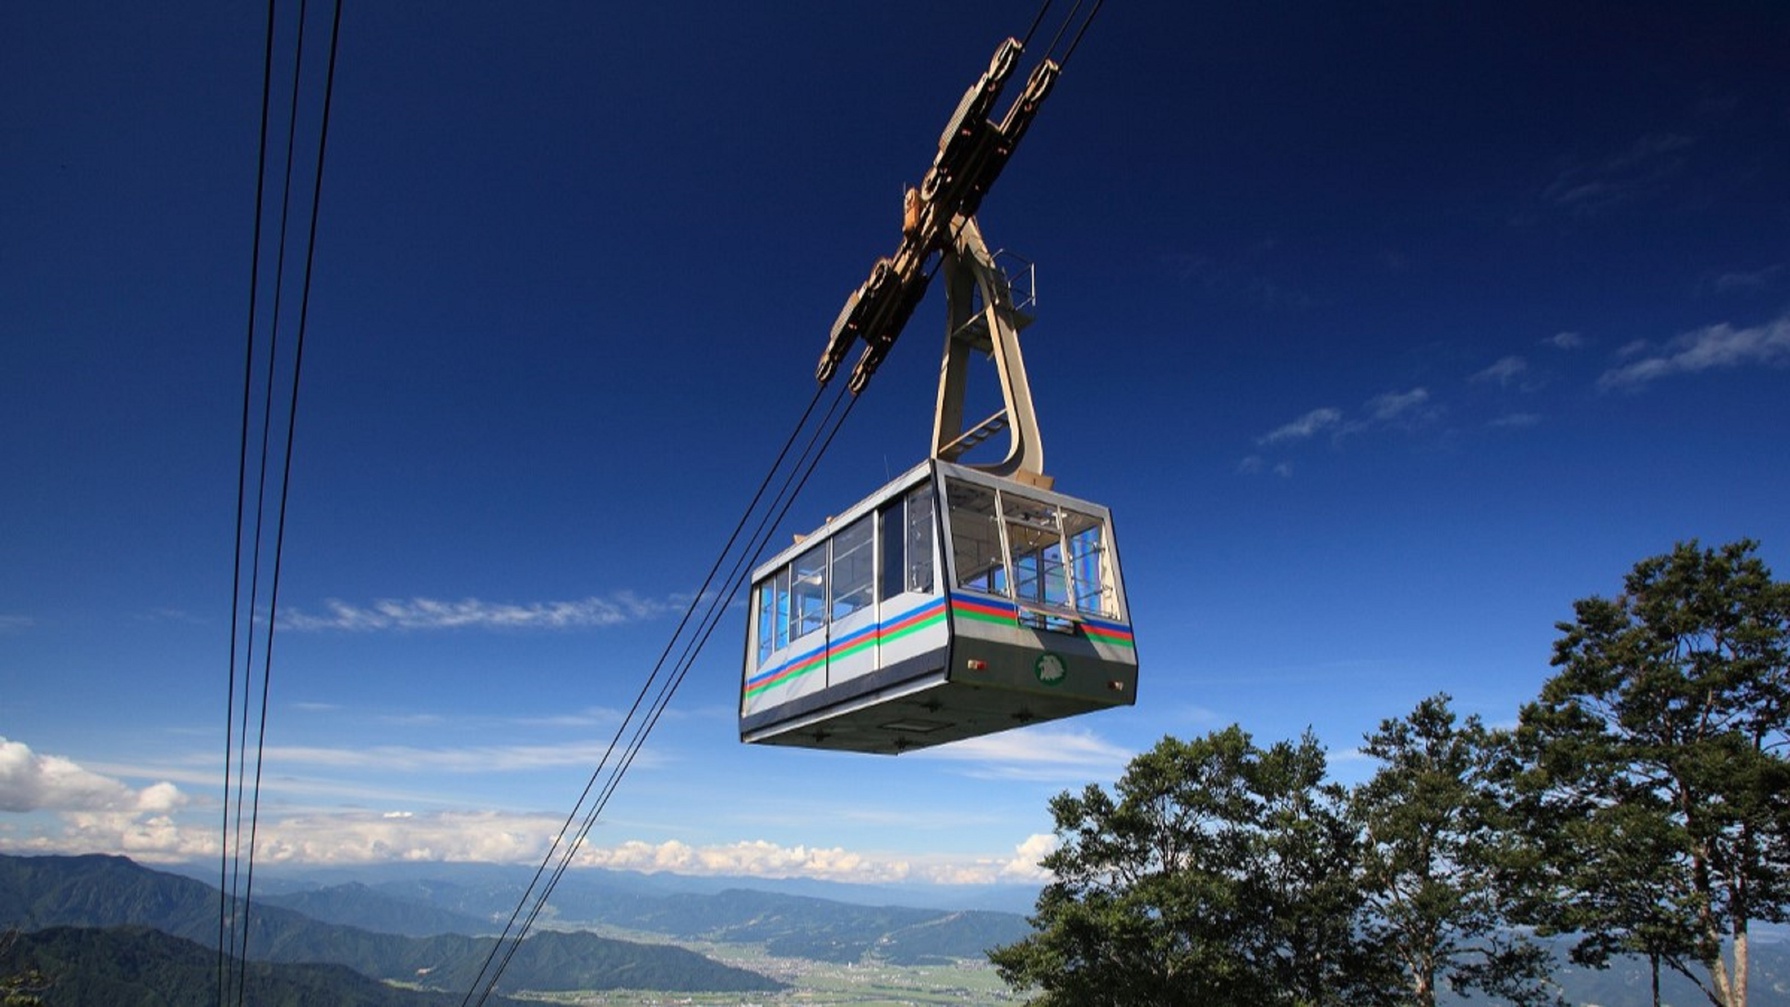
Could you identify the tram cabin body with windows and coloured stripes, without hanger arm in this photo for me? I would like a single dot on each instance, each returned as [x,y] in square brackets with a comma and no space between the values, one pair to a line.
[950,605]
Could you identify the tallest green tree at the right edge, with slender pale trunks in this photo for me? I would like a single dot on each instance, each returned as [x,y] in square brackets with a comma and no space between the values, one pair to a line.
[1655,768]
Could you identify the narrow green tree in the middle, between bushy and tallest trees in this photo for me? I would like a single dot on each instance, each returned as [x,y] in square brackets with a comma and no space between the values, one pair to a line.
[1433,842]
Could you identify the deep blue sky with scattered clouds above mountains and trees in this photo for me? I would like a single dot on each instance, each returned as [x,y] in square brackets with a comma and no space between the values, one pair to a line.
[1386,334]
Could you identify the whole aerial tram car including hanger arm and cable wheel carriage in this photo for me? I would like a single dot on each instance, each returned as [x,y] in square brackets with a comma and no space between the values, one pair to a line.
[959,600]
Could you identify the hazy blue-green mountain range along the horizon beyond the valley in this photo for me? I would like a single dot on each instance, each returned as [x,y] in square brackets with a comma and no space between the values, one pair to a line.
[436,929]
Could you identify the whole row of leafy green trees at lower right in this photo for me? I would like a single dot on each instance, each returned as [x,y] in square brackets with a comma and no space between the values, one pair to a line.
[1642,808]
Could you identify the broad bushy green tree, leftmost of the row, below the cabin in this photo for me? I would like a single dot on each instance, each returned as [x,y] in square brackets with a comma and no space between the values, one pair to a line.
[1215,874]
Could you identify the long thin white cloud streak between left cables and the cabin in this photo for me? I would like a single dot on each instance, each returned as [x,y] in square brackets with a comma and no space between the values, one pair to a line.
[475,614]
